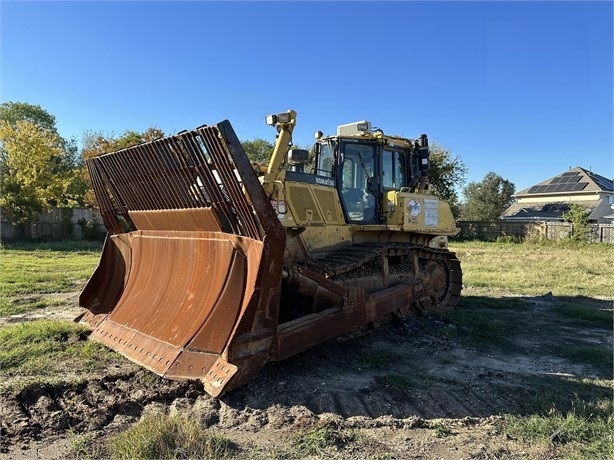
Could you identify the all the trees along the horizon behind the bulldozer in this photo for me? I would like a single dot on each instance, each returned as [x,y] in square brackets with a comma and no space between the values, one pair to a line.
[40,169]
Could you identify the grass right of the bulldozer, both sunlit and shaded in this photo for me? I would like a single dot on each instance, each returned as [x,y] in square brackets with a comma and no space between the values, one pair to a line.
[571,417]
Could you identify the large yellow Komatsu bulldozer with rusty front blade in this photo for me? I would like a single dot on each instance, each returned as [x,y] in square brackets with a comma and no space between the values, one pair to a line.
[214,266]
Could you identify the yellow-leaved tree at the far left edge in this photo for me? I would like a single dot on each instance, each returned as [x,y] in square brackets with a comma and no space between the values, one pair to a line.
[34,174]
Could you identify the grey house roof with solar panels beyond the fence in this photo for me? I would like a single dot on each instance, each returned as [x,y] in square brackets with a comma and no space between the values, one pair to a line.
[576,181]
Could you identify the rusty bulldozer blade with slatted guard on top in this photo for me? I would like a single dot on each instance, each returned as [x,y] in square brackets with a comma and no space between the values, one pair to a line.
[189,277]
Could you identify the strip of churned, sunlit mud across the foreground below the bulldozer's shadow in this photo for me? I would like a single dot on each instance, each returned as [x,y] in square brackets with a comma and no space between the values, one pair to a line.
[41,414]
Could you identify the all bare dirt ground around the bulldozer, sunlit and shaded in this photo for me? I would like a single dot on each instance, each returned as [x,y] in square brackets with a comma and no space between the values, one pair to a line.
[413,390]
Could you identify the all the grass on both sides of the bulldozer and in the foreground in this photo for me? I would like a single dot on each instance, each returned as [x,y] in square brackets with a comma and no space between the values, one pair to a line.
[500,282]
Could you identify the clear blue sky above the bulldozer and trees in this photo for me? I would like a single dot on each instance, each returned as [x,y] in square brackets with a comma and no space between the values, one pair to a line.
[523,89]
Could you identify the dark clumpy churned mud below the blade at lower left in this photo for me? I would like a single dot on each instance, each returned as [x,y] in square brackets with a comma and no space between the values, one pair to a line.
[106,403]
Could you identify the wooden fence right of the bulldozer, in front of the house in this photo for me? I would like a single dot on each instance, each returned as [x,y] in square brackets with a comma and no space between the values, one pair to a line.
[531,230]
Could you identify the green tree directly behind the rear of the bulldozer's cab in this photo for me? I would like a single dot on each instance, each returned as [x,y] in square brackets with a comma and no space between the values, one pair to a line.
[447,172]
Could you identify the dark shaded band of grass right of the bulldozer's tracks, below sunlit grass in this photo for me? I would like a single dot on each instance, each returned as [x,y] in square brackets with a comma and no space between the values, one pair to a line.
[500,322]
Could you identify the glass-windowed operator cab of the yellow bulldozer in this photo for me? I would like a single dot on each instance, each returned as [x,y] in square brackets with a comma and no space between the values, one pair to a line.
[365,164]
